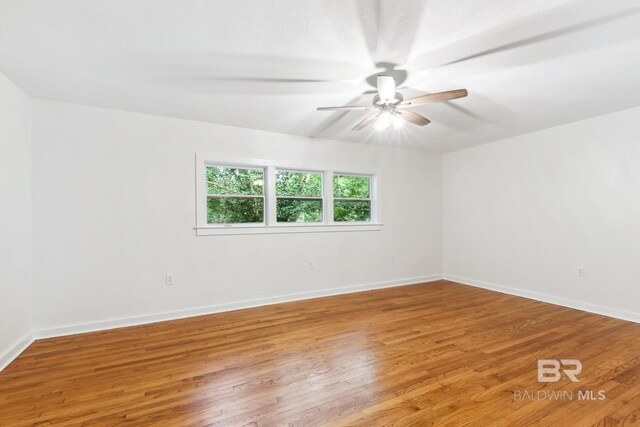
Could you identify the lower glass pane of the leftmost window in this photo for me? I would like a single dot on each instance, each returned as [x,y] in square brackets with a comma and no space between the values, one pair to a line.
[234,210]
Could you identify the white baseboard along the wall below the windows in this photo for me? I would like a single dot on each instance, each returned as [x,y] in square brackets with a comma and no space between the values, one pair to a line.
[199,311]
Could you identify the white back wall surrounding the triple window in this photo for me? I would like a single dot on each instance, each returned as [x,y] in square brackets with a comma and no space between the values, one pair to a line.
[114,211]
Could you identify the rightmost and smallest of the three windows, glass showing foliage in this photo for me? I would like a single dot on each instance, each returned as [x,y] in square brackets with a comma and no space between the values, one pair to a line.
[351,198]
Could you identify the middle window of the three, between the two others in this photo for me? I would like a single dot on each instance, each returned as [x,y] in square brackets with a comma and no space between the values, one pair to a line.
[298,196]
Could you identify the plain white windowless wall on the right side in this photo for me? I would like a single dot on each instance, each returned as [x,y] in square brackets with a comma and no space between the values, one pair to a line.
[528,211]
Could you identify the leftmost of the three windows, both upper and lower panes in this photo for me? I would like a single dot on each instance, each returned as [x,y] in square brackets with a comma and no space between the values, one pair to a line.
[235,195]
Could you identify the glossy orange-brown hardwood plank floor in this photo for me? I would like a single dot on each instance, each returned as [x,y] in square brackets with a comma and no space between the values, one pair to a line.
[433,354]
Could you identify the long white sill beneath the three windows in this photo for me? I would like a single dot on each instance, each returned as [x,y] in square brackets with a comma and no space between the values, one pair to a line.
[284,229]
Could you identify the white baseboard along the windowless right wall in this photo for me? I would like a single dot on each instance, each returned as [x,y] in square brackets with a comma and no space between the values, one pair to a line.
[565,302]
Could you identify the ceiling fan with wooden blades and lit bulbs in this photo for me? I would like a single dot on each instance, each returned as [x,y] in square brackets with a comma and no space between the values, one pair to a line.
[391,108]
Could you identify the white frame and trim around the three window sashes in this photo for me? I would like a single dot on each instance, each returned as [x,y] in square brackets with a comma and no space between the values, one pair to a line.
[271,226]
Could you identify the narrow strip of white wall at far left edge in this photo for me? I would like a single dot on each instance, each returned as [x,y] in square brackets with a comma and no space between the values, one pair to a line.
[15,218]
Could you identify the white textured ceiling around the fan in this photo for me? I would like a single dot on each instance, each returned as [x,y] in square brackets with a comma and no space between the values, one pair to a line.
[268,64]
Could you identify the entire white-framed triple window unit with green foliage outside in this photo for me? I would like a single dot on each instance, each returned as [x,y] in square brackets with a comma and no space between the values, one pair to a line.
[237,198]
